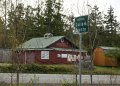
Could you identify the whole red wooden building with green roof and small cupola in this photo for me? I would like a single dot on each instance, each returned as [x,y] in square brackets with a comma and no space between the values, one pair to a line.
[50,50]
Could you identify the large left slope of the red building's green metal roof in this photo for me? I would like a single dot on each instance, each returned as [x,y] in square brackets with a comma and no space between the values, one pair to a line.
[40,42]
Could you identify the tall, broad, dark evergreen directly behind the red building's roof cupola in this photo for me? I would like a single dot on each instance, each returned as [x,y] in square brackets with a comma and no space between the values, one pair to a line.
[54,22]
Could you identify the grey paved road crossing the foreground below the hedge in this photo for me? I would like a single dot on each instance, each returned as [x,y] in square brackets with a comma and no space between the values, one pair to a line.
[59,78]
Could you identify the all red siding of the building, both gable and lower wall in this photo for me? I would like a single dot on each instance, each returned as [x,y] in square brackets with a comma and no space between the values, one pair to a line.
[34,56]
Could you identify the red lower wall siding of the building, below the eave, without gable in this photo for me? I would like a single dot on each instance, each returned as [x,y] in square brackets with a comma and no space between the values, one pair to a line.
[35,57]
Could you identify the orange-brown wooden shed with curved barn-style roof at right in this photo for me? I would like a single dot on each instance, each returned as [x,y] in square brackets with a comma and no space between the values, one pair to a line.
[100,59]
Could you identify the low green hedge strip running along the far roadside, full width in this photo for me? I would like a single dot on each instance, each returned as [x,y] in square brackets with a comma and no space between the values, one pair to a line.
[46,69]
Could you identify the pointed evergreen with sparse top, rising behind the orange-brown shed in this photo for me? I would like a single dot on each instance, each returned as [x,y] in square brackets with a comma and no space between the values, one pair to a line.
[111,25]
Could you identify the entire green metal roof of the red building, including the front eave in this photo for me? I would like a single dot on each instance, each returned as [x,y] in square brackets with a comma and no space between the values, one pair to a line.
[42,43]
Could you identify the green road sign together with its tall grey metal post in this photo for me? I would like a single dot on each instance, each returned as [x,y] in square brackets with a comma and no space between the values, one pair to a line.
[81,26]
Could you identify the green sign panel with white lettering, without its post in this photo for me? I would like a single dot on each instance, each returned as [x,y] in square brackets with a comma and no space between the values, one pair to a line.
[81,24]
